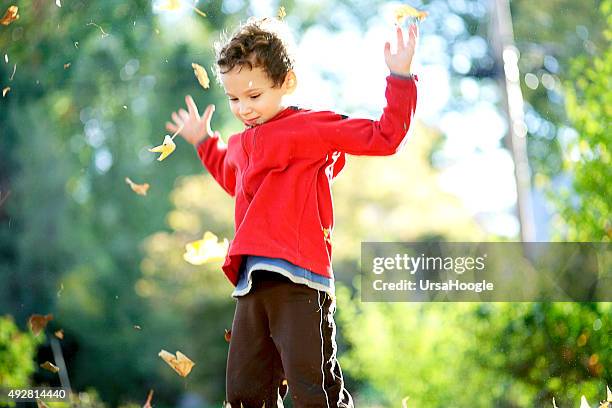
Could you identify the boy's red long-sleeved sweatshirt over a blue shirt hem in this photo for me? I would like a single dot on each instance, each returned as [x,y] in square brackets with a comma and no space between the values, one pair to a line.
[280,174]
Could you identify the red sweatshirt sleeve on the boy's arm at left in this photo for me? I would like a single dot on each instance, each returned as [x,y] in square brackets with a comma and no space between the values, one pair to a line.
[213,154]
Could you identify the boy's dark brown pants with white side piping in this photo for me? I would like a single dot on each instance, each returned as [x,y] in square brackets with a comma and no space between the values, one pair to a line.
[283,335]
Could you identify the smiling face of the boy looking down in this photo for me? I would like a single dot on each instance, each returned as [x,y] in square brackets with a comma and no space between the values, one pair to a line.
[252,98]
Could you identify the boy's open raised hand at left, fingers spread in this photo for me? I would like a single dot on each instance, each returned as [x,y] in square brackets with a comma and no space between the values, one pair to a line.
[193,127]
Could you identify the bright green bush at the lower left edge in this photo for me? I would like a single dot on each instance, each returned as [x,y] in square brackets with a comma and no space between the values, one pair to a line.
[17,352]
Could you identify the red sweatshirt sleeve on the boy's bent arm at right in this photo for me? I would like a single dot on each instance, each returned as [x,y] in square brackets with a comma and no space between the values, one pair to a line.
[373,137]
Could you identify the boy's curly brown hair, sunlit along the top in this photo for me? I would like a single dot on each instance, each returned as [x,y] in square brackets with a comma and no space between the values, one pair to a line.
[257,43]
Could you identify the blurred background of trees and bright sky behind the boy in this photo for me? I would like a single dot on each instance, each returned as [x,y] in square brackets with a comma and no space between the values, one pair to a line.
[511,141]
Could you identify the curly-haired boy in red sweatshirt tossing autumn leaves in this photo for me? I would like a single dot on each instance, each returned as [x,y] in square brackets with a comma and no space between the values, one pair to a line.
[279,170]
